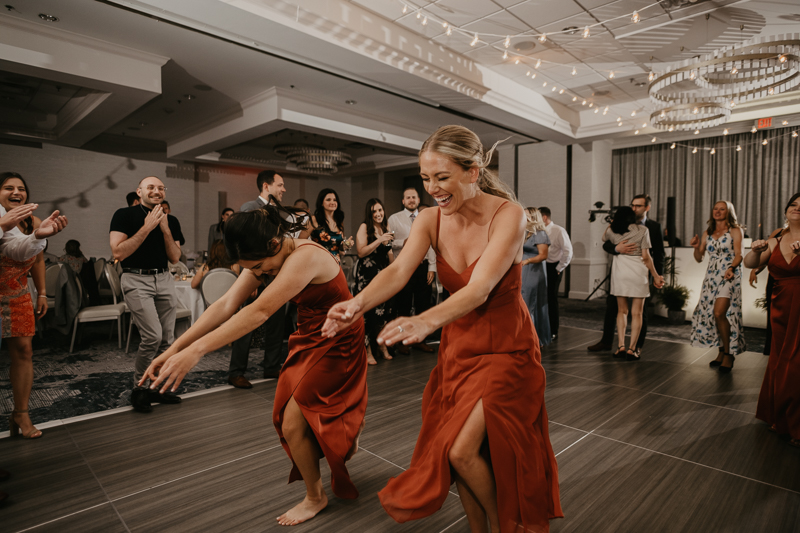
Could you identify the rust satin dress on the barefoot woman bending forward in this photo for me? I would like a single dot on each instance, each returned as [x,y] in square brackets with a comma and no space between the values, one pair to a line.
[328,379]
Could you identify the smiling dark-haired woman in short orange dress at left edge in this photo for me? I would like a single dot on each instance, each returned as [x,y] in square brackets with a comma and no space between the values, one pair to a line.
[19,322]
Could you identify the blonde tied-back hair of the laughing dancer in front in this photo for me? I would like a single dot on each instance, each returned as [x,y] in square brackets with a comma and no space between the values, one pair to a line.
[464,148]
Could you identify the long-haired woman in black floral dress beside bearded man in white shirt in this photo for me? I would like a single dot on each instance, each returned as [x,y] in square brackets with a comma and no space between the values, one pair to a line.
[374,245]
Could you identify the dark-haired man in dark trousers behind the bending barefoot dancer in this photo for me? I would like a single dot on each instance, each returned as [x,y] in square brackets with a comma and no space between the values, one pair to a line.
[270,185]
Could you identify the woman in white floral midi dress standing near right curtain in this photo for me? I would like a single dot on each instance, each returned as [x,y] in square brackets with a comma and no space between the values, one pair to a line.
[717,319]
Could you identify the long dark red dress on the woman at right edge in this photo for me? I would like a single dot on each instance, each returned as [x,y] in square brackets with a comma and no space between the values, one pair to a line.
[779,400]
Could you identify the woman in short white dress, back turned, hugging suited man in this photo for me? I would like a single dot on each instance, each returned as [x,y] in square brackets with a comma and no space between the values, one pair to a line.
[629,276]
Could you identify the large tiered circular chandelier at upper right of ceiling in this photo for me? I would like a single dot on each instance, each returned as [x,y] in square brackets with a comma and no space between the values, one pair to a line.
[718,81]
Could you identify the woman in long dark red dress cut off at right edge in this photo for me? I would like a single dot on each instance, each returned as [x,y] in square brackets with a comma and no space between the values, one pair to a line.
[779,400]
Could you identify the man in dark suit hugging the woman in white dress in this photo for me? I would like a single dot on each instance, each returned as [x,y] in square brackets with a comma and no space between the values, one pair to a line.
[641,206]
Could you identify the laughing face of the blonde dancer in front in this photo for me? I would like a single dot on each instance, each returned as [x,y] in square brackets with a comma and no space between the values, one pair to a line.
[448,183]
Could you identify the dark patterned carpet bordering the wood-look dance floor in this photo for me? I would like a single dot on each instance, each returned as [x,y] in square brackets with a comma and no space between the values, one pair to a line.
[98,376]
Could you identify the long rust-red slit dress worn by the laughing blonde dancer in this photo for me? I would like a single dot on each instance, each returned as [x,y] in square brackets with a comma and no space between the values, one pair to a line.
[493,354]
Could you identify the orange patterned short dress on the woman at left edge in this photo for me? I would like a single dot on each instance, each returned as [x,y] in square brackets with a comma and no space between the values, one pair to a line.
[15,300]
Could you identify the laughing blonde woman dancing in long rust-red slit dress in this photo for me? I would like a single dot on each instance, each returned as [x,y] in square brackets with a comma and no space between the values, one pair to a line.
[484,423]
